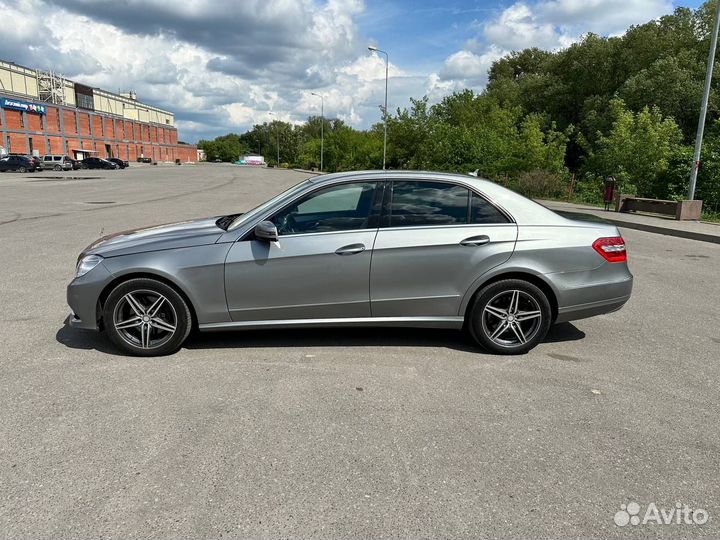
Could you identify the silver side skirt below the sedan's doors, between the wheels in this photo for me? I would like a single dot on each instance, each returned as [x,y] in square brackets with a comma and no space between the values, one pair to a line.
[415,322]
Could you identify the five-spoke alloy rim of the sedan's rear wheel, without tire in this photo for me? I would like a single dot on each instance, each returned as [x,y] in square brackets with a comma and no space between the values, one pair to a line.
[511,318]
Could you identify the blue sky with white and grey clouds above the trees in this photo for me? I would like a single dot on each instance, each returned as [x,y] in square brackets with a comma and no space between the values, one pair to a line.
[223,65]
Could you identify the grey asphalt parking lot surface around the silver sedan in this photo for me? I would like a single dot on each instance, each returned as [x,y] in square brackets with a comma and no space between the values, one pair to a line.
[341,433]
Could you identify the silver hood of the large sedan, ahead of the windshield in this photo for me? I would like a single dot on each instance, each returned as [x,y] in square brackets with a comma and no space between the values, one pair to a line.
[182,234]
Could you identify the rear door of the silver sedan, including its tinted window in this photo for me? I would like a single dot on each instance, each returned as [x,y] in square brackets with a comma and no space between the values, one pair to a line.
[435,239]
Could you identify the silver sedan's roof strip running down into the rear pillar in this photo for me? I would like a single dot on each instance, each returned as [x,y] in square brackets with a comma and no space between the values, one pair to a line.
[522,209]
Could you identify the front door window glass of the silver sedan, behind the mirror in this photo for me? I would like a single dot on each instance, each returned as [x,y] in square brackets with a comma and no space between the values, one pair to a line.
[335,208]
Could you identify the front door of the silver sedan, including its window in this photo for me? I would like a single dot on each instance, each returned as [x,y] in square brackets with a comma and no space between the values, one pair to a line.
[320,266]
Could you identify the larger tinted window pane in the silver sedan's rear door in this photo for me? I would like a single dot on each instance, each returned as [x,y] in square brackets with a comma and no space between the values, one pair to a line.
[428,203]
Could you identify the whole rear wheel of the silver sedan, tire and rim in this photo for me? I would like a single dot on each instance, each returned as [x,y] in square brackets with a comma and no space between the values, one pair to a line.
[498,306]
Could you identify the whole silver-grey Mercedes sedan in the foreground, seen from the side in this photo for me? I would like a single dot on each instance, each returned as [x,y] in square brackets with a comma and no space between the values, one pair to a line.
[447,251]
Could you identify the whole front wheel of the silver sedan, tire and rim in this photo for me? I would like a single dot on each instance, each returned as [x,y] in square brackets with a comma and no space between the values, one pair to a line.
[134,329]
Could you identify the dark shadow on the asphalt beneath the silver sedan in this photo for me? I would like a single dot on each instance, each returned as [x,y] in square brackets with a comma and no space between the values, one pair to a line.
[315,337]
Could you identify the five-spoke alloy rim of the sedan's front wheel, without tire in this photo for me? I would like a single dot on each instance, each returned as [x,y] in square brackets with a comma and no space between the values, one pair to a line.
[145,319]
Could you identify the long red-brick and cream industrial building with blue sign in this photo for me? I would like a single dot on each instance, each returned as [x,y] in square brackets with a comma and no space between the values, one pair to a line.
[42,112]
